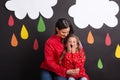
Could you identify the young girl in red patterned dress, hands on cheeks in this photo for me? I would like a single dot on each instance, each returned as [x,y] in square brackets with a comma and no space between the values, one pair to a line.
[74,57]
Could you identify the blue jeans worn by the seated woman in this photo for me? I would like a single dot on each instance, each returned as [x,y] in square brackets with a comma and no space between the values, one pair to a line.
[48,75]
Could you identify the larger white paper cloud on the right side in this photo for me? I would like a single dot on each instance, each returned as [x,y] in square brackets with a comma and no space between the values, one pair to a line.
[94,13]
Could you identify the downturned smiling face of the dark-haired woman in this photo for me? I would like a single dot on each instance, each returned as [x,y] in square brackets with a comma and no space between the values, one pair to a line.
[63,32]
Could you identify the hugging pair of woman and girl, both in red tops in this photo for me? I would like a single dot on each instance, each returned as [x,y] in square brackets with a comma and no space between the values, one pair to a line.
[64,56]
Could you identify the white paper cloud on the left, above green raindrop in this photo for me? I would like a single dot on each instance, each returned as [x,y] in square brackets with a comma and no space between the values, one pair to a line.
[31,7]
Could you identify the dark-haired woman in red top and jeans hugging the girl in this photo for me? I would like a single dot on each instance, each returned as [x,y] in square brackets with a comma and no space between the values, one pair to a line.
[50,68]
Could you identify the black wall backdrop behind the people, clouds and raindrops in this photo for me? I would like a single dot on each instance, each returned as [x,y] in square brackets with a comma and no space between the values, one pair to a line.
[22,62]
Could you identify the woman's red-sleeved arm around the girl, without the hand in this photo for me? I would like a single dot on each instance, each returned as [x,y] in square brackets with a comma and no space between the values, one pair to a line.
[50,60]
